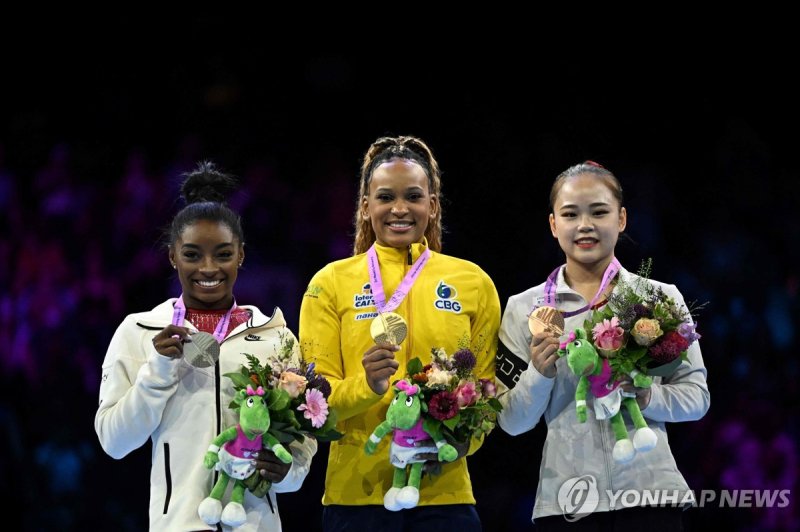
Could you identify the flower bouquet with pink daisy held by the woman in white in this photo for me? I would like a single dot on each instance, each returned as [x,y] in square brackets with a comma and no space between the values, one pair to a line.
[296,397]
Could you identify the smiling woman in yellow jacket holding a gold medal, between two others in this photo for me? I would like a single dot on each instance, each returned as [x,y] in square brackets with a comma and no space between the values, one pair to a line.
[445,302]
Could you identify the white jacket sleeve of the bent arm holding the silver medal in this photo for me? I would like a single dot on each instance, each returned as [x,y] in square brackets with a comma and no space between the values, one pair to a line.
[134,390]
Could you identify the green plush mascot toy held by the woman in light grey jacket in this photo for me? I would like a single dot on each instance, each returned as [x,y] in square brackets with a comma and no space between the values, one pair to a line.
[595,374]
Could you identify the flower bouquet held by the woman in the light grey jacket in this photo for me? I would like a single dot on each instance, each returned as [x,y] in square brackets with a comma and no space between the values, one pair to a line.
[642,329]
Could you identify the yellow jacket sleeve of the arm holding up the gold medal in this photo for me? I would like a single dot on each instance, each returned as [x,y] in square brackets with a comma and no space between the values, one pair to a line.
[320,340]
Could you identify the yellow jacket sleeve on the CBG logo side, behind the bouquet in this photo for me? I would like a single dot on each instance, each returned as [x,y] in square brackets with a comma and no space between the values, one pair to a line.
[483,336]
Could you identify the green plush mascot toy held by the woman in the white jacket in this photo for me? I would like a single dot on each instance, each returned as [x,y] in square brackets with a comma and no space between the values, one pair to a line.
[235,459]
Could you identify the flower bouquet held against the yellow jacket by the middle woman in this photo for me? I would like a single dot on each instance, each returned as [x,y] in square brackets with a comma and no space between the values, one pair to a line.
[459,404]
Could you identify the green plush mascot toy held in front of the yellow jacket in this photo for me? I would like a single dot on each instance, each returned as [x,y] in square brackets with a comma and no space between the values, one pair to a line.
[404,420]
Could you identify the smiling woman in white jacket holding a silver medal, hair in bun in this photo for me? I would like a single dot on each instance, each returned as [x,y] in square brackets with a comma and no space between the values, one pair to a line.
[163,372]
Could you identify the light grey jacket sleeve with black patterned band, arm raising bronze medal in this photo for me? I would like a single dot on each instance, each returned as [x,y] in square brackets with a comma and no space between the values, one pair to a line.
[524,394]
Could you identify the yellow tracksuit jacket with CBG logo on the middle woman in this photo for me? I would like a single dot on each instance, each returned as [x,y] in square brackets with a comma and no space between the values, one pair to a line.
[453,304]
